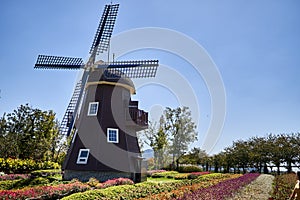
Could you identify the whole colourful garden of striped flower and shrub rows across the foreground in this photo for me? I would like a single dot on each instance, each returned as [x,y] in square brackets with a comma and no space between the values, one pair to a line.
[170,185]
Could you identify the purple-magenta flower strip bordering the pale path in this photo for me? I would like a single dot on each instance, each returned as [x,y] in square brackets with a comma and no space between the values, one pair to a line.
[222,189]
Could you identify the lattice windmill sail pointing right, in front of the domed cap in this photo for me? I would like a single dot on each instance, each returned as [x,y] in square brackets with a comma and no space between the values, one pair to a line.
[131,69]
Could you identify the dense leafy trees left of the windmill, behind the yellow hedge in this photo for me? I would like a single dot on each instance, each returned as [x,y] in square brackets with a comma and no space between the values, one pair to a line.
[29,133]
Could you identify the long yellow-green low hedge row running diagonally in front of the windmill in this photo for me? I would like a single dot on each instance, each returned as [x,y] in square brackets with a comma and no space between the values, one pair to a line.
[140,190]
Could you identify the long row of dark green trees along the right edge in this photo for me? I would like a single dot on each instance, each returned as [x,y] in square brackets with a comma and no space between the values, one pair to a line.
[261,153]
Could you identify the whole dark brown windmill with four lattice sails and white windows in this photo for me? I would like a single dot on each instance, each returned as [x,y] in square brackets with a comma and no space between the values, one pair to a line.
[101,117]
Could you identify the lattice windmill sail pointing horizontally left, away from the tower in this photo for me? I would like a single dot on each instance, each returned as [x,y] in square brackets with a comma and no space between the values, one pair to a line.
[58,62]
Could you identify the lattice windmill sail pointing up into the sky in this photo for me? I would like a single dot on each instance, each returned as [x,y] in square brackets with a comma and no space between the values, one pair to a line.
[105,28]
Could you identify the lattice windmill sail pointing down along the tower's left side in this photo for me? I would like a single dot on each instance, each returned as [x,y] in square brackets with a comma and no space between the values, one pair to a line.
[68,119]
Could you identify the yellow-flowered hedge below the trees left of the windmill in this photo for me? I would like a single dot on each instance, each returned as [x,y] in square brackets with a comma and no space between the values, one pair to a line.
[20,166]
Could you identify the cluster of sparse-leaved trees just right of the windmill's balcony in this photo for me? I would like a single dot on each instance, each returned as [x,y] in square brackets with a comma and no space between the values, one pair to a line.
[171,136]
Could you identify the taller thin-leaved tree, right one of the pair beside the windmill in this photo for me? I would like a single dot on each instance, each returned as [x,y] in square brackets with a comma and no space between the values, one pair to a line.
[181,130]
